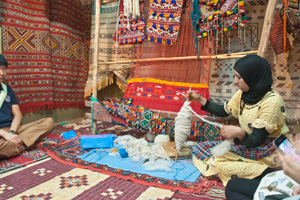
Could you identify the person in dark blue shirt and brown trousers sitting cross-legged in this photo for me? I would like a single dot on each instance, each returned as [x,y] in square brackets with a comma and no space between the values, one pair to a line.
[15,137]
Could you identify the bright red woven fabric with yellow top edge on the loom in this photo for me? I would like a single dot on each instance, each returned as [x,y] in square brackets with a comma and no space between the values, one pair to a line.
[163,95]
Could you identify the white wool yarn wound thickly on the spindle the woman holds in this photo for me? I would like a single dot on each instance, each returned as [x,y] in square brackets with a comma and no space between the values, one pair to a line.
[183,124]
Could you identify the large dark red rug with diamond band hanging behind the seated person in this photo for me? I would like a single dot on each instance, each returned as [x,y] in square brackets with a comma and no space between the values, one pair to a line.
[46,45]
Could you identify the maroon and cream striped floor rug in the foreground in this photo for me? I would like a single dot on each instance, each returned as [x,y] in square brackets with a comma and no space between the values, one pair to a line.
[49,179]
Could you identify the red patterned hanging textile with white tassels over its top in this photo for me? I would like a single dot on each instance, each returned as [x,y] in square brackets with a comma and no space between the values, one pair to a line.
[131,26]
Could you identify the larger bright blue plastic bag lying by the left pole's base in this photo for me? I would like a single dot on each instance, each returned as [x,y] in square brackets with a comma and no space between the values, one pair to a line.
[97,141]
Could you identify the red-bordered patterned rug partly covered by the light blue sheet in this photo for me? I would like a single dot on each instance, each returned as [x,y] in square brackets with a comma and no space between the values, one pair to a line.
[67,152]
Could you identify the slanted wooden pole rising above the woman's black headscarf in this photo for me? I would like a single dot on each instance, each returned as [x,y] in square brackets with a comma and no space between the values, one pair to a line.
[265,34]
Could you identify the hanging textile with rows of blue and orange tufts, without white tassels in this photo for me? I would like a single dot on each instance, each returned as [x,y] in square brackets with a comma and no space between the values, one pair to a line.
[164,21]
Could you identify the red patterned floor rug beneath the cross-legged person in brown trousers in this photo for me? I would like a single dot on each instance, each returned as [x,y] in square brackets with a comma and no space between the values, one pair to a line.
[33,155]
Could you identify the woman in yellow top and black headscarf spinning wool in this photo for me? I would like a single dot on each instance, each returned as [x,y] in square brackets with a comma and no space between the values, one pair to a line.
[261,114]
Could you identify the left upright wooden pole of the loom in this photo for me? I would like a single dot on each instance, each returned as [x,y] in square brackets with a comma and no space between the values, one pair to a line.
[96,54]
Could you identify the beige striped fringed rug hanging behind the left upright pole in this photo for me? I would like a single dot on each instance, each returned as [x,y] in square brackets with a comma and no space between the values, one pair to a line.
[107,50]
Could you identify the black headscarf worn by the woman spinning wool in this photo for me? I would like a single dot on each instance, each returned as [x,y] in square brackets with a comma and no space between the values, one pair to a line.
[256,72]
